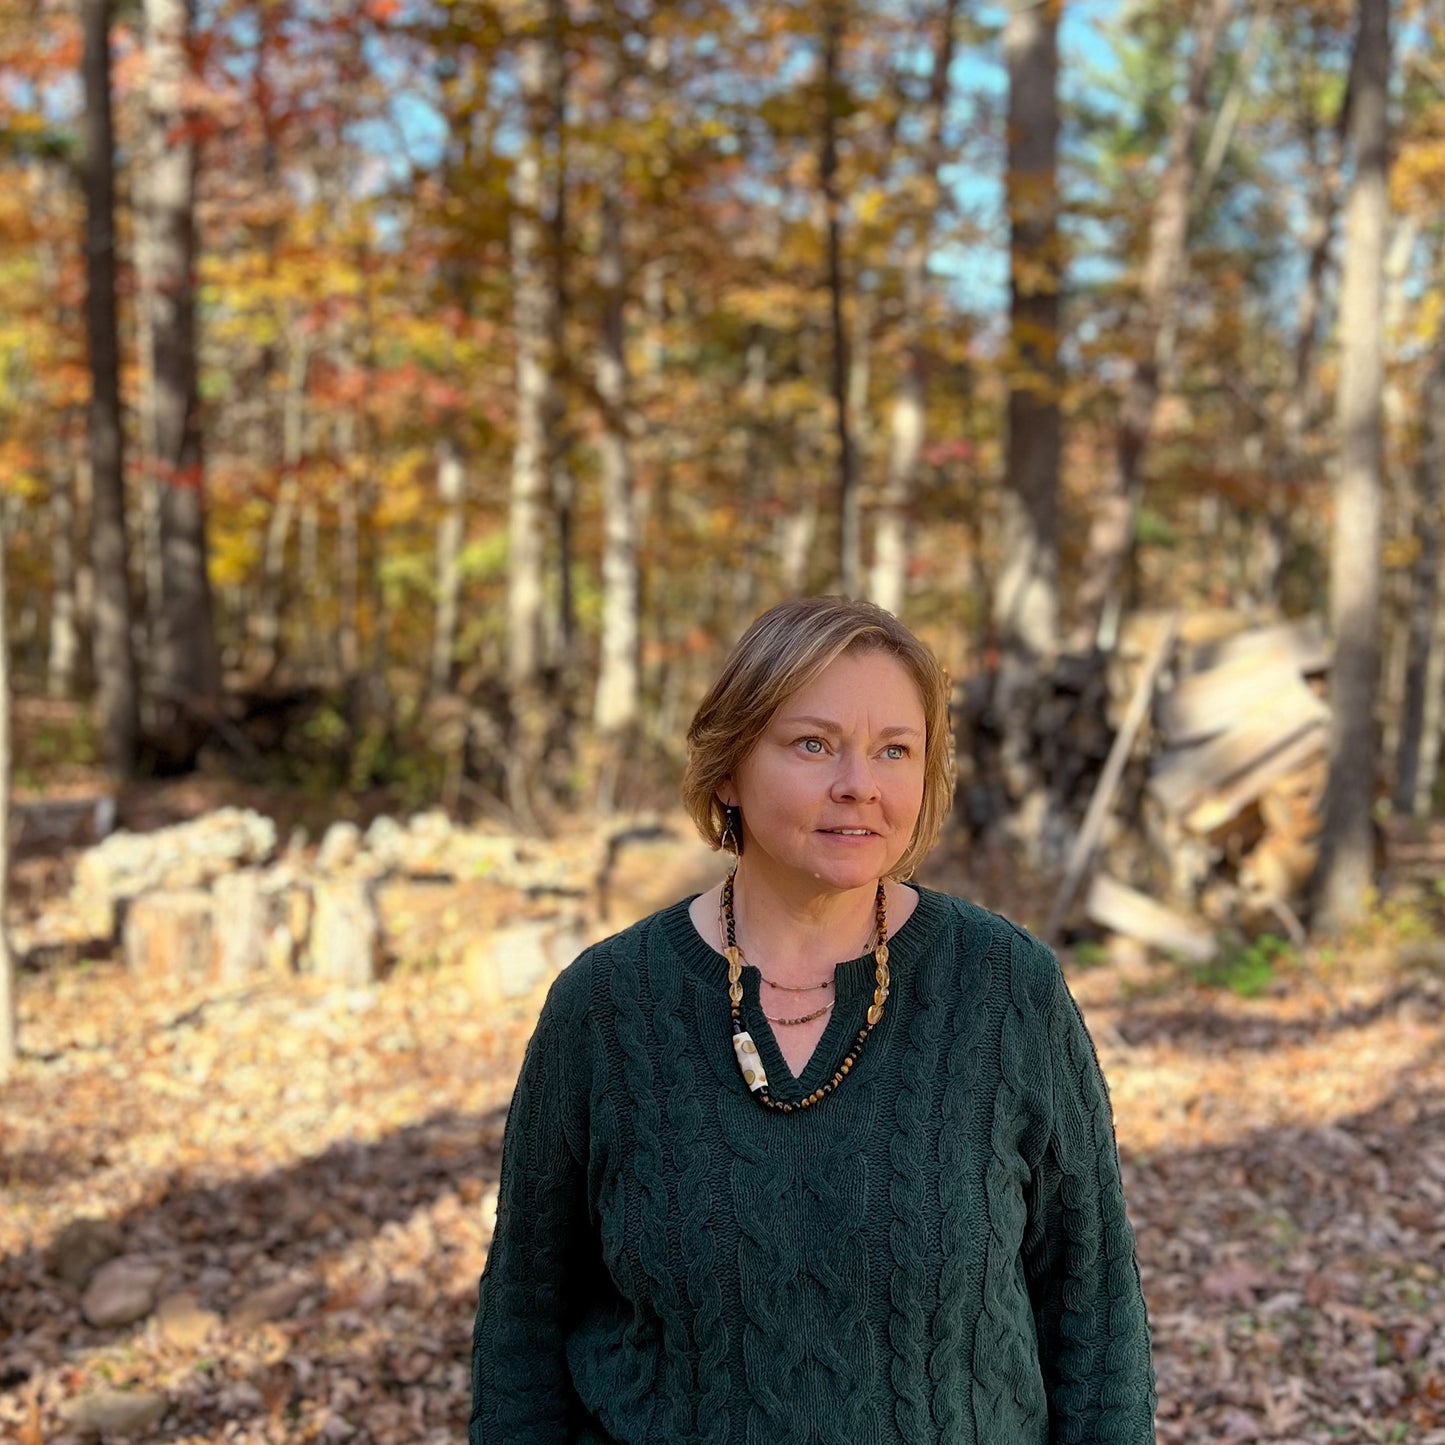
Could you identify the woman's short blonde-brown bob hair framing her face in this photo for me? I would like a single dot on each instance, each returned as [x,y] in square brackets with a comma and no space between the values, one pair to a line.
[784,651]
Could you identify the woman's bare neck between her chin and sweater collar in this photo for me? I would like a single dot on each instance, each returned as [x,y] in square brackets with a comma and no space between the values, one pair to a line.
[797,936]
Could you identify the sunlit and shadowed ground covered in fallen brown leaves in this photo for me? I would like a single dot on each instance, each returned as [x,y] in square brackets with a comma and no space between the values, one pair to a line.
[309,1173]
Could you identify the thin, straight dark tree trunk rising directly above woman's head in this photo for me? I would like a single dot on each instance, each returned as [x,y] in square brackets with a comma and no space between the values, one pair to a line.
[850,519]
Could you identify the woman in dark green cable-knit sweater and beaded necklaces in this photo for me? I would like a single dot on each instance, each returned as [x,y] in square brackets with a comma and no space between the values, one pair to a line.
[817,1157]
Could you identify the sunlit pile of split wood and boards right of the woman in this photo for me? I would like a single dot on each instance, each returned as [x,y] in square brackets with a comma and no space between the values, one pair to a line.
[1235,772]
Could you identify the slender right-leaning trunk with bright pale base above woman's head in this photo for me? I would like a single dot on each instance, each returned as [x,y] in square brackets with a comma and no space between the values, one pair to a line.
[908,426]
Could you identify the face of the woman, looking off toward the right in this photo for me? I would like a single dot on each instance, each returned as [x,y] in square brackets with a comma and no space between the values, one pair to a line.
[832,791]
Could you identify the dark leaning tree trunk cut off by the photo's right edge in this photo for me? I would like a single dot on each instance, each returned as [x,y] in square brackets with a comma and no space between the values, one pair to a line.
[1412,788]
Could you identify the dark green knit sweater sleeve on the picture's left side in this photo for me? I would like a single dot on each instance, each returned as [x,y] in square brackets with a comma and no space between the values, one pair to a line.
[521,1391]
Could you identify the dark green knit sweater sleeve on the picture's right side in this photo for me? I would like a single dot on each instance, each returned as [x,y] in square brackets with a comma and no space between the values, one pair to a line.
[1080,1256]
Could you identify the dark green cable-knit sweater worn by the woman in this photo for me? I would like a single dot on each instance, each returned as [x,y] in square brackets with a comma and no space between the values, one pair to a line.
[936,1254]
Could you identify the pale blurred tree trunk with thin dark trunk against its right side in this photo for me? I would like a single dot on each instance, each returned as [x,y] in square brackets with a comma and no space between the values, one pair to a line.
[532,300]
